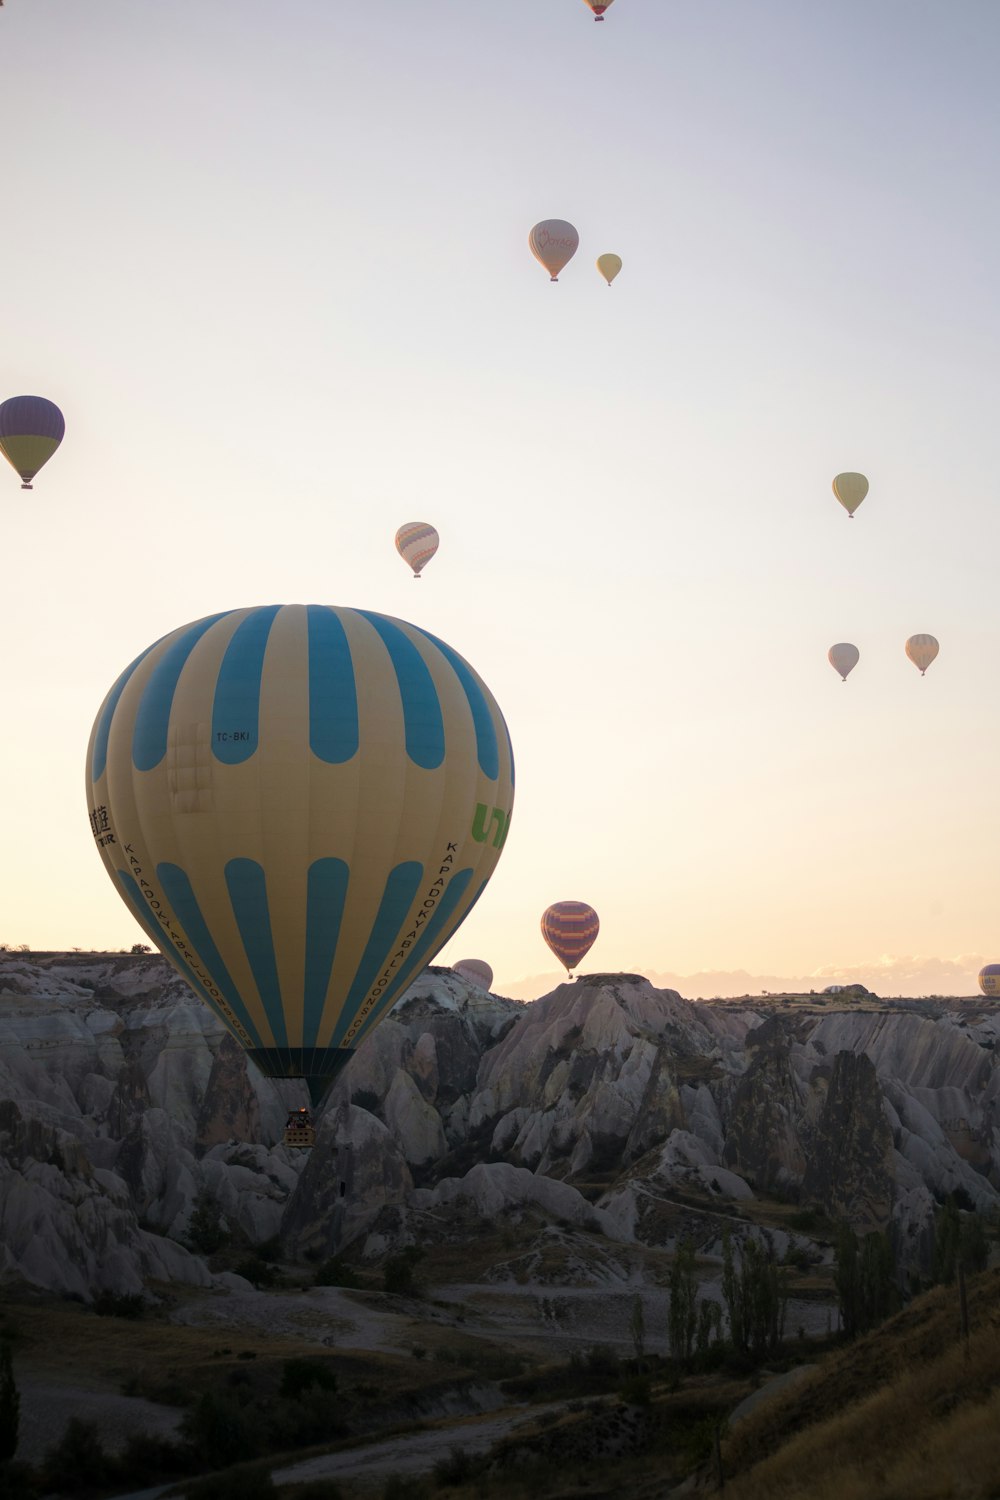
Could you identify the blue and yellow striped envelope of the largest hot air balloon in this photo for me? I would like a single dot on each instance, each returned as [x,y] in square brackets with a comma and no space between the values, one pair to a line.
[301,805]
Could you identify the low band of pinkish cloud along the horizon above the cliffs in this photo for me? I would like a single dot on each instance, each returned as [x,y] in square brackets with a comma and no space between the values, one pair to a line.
[891,976]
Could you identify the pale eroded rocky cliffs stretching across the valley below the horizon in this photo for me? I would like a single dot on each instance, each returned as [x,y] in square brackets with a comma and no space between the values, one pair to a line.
[608,1105]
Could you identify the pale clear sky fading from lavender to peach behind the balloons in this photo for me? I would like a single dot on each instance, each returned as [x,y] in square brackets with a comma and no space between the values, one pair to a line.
[271,260]
